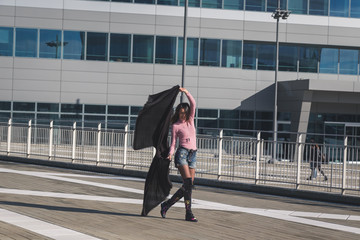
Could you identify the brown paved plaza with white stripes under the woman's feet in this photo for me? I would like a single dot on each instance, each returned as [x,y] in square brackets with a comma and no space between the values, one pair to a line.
[38,202]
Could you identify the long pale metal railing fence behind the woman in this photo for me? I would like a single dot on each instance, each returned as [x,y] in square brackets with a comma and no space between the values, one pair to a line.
[247,159]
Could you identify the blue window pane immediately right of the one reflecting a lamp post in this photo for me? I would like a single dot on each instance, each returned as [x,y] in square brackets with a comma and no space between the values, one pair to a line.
[74,45]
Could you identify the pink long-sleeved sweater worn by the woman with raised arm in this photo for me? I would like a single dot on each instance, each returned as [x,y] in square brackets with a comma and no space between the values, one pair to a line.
[185,130]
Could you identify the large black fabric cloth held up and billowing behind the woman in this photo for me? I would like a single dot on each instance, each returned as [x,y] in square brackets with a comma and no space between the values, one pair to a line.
[152,129]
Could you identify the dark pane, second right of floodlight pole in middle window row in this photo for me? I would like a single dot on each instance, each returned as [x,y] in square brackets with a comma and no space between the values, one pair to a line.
[308,59]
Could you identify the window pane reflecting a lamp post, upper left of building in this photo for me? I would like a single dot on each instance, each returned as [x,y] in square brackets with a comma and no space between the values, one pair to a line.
[50,43]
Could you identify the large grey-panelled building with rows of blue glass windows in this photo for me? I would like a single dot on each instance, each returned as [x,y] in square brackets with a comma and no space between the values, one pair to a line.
[97,62]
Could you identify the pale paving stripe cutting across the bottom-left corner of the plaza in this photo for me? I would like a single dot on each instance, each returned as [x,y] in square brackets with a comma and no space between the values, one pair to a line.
[40,227]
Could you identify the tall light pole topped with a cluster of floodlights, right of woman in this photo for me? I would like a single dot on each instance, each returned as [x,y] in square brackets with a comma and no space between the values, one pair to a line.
[284,14]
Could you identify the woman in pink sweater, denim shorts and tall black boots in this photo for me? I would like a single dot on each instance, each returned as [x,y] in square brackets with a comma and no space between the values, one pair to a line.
[183,128]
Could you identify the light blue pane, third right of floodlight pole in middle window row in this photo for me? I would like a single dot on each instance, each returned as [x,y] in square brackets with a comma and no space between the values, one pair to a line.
[329,58]
